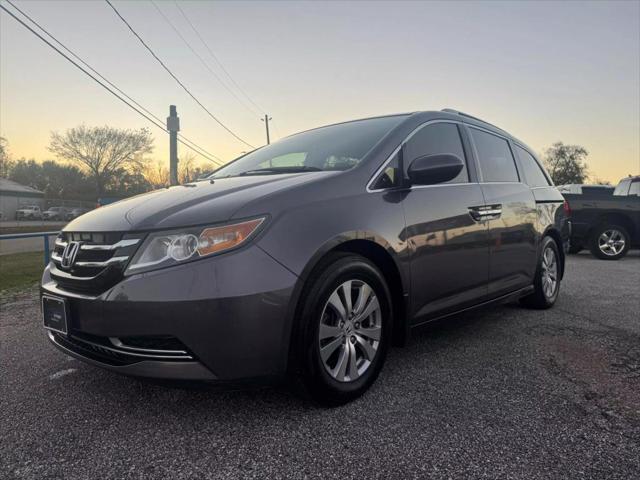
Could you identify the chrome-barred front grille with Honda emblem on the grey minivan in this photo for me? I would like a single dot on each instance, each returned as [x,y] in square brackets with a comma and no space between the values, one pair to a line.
[95,263]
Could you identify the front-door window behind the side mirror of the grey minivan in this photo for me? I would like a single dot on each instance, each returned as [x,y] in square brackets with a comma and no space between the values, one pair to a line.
[434,139]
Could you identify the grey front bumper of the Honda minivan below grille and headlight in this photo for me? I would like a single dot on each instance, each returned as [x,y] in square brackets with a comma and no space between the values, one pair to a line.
[229,311]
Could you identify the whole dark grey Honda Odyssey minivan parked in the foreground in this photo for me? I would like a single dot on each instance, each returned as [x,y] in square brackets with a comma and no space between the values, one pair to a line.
[310,256]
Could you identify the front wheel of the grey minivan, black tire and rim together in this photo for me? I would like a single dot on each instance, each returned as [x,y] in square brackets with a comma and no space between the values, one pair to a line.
[326,342]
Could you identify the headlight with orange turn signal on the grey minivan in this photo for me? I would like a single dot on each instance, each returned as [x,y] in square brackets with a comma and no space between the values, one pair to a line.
[163,249]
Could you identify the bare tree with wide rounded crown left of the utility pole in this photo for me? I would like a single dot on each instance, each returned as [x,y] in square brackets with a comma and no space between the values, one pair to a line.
[102,151]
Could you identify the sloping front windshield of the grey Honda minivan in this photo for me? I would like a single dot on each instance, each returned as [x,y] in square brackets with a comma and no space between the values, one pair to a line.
[336,147]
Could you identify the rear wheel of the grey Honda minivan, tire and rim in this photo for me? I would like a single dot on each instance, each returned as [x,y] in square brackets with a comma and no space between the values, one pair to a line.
[547,280]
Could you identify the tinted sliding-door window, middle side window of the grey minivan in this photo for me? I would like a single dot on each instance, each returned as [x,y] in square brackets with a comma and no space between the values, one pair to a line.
[496,160]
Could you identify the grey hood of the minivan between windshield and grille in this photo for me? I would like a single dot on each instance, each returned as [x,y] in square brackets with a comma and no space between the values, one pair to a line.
[186,205]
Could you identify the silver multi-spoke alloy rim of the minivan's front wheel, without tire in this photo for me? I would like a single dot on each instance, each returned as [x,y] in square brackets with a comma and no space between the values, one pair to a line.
[350,330]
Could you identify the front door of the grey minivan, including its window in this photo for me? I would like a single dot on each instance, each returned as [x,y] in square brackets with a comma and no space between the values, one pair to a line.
[449,248]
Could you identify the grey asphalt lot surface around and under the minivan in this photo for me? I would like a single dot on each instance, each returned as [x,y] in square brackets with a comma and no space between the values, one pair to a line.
[498,393]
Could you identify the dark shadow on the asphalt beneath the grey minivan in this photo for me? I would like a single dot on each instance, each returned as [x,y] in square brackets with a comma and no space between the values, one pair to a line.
[278,394]
